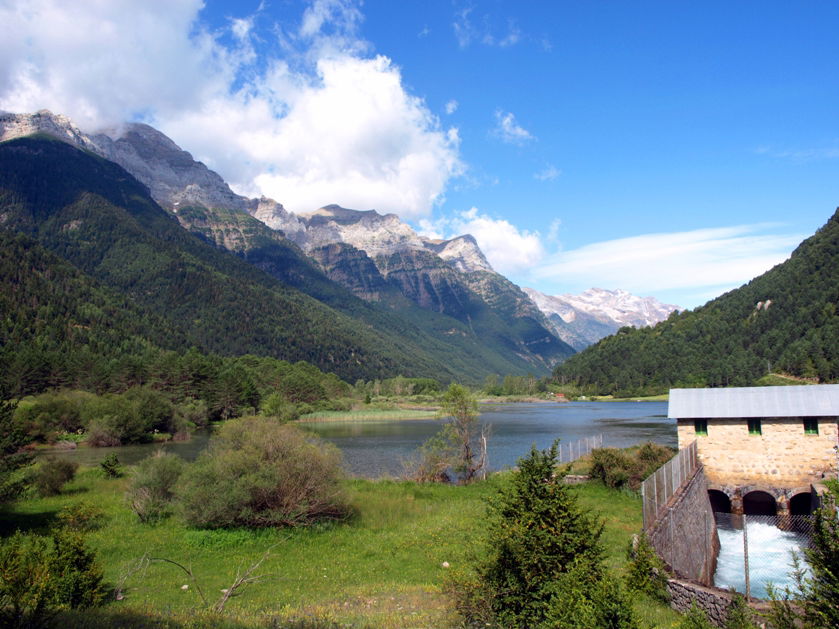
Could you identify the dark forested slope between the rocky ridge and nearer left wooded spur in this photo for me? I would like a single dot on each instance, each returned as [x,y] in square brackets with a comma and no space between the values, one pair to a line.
[93,214]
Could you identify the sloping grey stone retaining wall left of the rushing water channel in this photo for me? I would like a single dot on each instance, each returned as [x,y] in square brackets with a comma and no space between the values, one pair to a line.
[685,534]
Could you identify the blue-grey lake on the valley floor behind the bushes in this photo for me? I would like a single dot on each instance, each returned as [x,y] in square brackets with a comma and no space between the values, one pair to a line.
[377,449]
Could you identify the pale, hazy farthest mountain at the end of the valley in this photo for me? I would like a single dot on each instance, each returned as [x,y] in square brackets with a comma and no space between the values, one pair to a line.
[582,320]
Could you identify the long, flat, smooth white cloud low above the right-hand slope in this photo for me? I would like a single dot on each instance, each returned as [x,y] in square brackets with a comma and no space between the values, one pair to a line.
[705,261]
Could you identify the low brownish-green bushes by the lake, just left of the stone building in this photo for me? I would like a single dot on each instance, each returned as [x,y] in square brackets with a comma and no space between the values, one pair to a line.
[628,467]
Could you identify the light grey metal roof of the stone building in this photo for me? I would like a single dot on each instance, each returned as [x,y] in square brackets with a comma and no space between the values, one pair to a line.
[816,400]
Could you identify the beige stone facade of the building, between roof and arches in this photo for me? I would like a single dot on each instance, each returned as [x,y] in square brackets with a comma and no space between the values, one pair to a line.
[783,457]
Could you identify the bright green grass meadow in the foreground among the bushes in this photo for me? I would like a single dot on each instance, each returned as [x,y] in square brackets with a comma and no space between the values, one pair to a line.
[381,568]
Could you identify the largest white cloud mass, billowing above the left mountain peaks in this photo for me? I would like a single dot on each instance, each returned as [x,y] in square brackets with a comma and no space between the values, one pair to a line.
[324,122]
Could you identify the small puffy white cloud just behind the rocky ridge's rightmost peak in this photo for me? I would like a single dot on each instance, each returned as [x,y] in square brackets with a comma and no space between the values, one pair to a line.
[508,248]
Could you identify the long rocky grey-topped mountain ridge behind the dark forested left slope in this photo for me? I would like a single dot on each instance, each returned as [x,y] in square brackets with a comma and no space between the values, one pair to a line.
[404,268]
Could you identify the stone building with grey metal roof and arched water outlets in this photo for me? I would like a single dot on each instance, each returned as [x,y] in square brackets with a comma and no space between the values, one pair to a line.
[762,447]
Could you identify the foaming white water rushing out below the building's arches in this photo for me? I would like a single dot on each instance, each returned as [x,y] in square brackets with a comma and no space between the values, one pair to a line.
[770,558]
